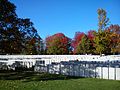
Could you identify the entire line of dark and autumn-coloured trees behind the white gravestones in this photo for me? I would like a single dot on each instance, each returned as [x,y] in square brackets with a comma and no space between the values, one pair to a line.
[19,36]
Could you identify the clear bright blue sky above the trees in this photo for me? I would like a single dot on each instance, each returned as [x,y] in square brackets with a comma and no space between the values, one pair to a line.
[66,16]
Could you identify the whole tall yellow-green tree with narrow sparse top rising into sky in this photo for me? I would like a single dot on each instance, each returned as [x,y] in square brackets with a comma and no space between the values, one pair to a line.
[101,37]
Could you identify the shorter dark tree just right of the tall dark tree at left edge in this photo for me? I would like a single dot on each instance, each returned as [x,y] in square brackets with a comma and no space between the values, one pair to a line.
[30,38]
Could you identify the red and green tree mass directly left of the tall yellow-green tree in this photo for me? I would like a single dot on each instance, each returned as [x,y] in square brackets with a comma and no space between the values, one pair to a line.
[83,43]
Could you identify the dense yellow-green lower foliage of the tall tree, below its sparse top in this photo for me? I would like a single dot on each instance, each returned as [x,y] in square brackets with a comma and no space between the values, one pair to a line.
[102,42]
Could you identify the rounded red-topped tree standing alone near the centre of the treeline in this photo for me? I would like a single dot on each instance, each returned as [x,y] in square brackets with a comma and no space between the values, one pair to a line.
[58,44]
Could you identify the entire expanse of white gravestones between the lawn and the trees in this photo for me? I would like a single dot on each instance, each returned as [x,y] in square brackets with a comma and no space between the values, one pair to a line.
[106,67]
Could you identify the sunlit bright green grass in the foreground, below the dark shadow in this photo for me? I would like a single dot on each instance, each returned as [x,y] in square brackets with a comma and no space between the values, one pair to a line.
[68,84]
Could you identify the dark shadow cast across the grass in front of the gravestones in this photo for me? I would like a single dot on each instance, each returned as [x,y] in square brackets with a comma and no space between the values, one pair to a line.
[27,76]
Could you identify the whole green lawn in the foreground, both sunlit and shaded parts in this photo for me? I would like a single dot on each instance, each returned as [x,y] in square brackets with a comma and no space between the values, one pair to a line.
[38,81]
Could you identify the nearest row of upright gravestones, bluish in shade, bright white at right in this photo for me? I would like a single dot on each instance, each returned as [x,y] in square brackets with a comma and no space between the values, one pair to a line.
[104,70]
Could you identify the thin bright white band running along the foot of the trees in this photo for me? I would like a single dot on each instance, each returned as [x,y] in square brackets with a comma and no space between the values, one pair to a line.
[58,58]
